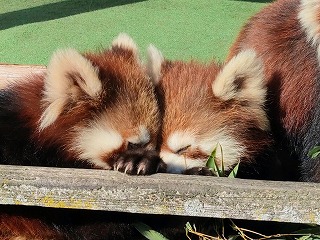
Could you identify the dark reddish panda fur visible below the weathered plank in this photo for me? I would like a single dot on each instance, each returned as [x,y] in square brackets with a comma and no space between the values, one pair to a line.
[69,224]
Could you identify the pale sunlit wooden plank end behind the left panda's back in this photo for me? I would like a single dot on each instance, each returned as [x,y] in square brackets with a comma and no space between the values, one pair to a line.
[14,72]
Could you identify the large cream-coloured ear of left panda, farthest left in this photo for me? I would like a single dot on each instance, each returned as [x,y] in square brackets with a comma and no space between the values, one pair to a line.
[69,74]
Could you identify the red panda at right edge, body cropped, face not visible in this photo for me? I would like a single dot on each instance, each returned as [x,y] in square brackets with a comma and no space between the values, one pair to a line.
[286,35]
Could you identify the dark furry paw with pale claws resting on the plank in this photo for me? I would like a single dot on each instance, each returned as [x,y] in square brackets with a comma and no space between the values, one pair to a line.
[139,162]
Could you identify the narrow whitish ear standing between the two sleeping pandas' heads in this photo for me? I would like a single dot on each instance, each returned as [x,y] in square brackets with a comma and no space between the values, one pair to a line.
[154,62]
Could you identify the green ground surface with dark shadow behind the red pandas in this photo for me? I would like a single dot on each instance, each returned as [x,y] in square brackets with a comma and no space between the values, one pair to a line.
[30,30]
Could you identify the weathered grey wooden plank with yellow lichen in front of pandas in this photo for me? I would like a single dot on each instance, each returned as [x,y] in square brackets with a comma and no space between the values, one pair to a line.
[160,194]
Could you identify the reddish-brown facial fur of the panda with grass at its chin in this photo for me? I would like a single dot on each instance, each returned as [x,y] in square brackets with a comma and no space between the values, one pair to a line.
[190,105]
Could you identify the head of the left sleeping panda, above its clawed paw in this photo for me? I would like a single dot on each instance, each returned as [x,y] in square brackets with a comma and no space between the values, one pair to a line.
[96,105]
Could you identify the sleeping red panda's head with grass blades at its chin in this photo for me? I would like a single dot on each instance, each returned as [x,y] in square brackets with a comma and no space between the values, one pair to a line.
[209,106]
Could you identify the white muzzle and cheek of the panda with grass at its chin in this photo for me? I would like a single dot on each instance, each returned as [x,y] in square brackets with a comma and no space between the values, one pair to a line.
[184,151]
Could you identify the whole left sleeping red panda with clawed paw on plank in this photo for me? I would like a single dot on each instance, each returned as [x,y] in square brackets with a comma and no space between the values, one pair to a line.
[96,110]
